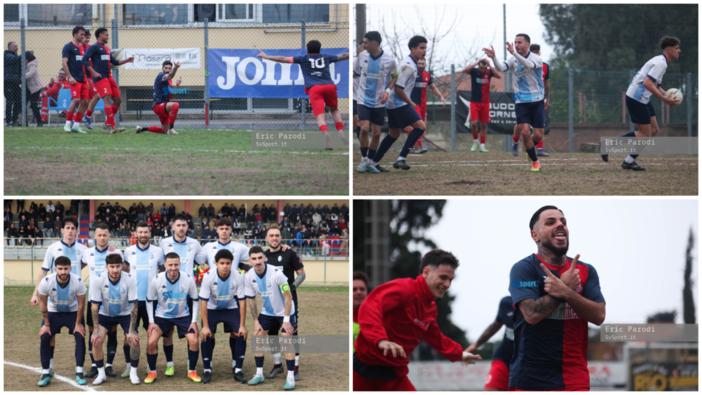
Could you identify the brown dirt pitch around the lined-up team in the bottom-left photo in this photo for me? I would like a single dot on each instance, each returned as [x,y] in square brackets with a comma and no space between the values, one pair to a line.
[325,311]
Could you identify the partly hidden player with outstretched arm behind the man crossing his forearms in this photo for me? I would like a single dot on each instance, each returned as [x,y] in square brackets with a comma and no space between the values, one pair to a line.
[498,377]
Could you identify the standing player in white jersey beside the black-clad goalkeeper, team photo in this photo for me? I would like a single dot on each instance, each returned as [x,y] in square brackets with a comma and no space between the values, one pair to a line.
[240,253]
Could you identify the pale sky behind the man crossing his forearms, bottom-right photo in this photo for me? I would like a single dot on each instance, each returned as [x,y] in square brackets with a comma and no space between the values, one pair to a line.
[636,246]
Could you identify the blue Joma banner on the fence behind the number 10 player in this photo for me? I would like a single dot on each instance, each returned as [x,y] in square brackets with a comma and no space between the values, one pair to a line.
[239,73]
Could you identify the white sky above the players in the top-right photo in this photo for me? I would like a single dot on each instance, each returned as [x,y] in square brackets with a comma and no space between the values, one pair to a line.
[477,25]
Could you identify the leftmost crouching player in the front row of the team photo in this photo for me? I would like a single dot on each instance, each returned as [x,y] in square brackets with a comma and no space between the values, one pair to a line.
[61,301]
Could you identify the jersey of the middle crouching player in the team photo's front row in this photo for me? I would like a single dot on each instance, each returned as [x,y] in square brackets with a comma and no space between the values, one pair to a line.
[172,297]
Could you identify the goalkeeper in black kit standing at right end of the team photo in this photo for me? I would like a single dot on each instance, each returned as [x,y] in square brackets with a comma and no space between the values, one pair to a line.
[289,262]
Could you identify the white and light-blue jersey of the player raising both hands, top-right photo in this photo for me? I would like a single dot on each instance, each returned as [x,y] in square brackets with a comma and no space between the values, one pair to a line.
[527,84]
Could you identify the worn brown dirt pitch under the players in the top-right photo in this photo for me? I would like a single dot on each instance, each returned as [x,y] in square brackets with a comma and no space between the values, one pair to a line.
[500,173]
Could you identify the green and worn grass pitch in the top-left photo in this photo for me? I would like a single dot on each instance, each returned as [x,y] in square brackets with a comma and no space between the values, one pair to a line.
[49,161]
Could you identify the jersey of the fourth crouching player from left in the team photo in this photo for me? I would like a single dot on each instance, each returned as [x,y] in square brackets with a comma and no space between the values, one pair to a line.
[222,294]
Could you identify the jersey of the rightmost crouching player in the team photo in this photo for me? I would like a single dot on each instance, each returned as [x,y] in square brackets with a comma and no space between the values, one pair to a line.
[268,287]
